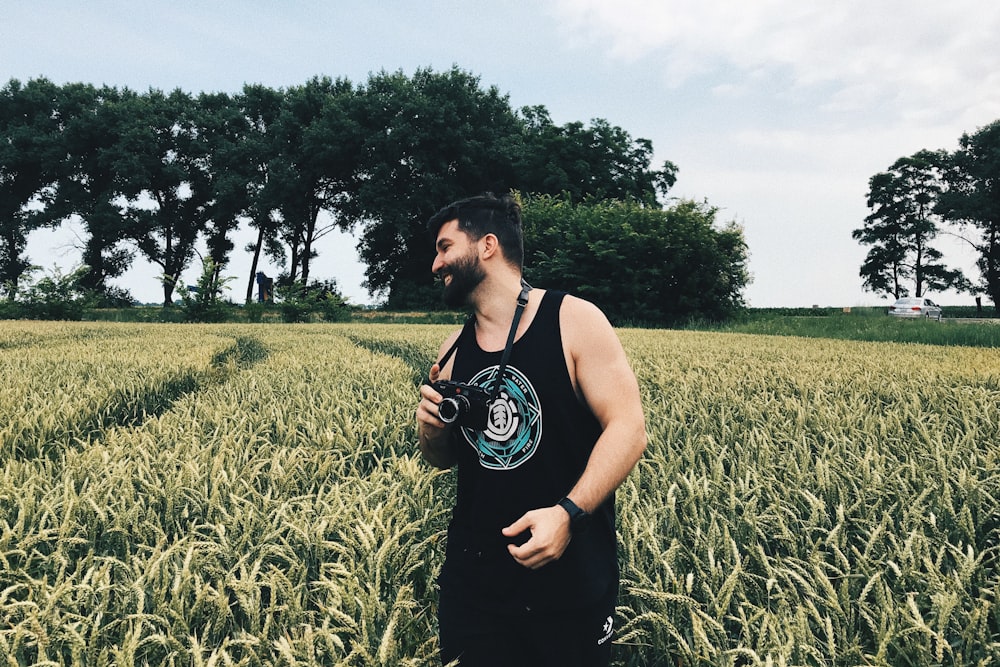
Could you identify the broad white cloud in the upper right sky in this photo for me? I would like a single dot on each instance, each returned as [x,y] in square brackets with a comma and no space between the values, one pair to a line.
[915,54]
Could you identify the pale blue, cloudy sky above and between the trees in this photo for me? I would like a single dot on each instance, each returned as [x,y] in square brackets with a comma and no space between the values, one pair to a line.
[775,111]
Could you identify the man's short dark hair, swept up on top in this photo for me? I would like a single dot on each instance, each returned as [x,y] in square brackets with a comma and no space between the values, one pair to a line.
[486,214]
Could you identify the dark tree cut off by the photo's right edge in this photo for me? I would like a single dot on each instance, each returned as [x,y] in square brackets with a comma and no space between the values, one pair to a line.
[972,200]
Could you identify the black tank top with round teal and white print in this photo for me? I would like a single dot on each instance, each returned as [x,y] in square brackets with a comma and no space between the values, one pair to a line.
[533,451]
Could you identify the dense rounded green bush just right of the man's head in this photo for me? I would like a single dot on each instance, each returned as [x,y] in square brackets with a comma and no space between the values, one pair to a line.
[638,263]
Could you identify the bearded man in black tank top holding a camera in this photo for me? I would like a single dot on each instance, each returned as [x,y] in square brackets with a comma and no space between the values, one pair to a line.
[531,573]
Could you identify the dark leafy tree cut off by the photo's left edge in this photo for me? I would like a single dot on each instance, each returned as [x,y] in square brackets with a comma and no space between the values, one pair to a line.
[29,154]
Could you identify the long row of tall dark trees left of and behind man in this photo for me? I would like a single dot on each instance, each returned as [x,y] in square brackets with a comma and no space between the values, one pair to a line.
[154,172]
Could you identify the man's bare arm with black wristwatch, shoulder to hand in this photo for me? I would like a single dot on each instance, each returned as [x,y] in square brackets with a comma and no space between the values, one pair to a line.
[605,382]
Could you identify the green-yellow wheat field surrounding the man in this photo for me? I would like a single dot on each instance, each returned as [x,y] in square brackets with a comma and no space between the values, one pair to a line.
[252,495]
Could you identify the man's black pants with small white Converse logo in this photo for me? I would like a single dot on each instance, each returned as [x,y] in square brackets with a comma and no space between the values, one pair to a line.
[476,637]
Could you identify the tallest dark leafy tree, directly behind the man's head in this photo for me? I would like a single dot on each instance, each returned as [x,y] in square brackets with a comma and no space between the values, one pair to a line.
[429,139]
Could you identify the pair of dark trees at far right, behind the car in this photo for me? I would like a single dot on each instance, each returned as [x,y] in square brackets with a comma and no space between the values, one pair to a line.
[926,195]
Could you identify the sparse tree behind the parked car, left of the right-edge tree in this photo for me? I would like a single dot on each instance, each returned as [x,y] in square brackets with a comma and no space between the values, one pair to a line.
[902,226]
